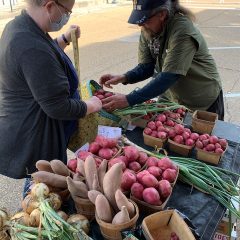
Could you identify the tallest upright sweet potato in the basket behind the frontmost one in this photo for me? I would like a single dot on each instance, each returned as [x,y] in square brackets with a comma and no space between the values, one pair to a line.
[90,169]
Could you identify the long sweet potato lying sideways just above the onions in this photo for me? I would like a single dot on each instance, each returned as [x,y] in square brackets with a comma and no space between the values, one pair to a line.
[48,178]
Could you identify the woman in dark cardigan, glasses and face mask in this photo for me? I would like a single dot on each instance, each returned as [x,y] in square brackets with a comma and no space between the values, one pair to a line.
[39,103]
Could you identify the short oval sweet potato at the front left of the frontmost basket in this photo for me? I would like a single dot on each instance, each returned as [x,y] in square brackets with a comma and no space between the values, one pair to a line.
[103,208]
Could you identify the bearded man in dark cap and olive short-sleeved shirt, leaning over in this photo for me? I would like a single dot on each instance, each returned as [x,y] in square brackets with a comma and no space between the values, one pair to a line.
[174,52]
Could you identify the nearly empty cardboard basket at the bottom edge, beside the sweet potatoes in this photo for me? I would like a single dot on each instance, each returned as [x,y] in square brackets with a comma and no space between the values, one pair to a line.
[160,226]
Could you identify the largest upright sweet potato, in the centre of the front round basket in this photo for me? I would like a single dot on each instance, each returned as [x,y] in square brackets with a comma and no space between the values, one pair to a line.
[112,182]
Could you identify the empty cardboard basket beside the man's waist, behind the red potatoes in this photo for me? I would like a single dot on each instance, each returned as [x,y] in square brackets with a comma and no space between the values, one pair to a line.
[203,121]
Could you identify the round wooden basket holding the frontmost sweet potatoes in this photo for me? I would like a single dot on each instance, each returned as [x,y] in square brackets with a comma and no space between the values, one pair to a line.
[113,231]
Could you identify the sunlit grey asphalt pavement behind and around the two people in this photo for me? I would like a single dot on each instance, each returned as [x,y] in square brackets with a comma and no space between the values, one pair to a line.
[108,44]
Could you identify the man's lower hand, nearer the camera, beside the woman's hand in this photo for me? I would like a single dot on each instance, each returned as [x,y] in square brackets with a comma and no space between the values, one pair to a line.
[116,101]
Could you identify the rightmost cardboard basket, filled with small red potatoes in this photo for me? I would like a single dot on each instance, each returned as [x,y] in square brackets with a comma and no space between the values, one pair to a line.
[213,158]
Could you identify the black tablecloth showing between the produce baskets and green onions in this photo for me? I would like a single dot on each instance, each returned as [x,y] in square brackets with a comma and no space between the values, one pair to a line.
[203,210]
